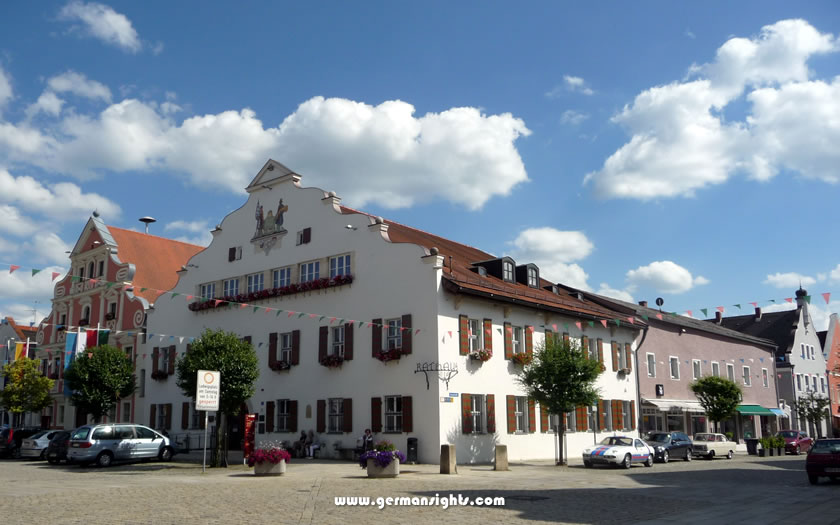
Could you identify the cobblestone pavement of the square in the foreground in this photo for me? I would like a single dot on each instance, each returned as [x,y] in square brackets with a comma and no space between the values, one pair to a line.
[747,489]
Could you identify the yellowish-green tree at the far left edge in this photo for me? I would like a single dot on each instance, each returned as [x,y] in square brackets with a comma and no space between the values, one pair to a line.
[27,389]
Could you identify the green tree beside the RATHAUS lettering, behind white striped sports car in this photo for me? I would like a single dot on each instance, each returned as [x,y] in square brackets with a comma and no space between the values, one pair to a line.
[561,378]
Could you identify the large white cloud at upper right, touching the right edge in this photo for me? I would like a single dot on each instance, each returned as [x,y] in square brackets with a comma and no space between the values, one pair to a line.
[680,141]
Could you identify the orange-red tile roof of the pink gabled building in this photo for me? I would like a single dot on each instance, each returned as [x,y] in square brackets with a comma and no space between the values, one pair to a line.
[155,260]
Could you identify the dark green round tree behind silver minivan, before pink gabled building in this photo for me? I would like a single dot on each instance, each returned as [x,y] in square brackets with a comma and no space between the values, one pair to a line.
[98,378]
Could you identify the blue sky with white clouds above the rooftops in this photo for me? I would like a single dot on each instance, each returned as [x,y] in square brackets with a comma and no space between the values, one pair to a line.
[642,150]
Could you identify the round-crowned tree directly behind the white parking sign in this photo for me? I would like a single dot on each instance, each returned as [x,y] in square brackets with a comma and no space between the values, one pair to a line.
[237,362]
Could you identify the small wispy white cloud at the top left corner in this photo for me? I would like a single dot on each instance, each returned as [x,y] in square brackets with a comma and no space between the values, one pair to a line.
[102,22]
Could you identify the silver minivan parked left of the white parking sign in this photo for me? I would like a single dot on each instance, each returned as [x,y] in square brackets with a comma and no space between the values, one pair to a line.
[109,442]
